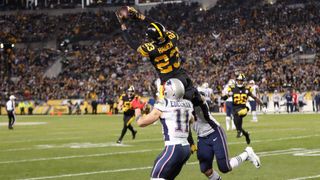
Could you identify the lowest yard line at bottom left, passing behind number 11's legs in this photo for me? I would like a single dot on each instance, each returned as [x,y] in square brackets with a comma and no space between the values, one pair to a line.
[97,172]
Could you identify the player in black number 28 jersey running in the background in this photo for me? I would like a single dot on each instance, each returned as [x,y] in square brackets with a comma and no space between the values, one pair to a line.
[240,94]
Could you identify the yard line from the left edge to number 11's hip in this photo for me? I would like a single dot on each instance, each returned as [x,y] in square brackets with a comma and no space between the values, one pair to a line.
[77,156]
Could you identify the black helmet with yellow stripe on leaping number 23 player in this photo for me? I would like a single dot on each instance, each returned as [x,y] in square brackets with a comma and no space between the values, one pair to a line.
[157,32]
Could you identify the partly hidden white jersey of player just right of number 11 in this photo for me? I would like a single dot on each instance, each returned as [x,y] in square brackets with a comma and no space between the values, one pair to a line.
[200,126]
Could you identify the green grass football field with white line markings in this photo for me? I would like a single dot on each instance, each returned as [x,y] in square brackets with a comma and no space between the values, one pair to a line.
[83,147]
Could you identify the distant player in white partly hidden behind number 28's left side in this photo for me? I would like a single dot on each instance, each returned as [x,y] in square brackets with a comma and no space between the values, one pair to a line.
[229,120]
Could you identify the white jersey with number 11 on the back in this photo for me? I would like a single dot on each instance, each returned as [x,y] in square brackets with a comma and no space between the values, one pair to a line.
[175,118]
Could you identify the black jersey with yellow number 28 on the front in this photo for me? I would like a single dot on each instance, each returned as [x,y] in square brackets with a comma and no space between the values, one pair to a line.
[240,96]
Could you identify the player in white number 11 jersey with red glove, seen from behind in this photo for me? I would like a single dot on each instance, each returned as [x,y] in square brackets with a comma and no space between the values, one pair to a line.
[175,114]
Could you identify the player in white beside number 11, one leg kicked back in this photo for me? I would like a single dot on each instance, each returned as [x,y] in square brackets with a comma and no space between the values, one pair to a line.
[213,142]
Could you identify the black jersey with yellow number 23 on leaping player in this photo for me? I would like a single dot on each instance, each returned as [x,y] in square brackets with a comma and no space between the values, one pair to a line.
[164,57]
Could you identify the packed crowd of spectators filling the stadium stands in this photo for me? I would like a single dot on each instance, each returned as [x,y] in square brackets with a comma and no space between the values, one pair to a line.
[214,44]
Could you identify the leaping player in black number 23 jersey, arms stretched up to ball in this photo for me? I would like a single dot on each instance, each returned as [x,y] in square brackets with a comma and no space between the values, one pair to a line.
[164,55]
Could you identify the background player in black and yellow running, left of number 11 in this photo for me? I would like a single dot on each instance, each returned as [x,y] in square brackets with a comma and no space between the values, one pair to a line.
[128,113]
